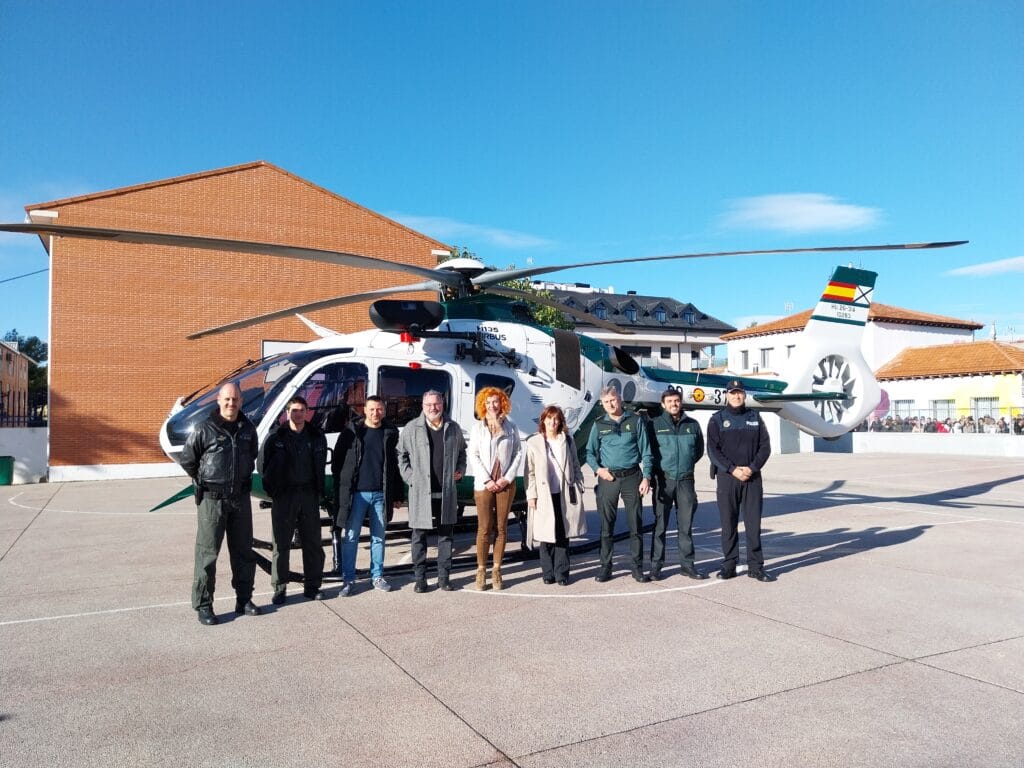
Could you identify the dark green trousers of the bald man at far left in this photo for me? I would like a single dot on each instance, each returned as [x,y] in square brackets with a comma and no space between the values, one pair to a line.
[220,518]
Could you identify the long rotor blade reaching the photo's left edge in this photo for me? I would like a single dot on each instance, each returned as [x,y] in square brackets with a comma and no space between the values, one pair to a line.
[236,246]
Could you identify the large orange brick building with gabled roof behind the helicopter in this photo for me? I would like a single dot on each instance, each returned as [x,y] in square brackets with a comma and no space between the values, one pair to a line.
[119,313]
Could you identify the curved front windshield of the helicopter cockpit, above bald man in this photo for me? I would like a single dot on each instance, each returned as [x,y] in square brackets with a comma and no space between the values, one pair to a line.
[260,382]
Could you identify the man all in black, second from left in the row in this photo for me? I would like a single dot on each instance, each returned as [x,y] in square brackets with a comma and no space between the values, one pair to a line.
[294,463]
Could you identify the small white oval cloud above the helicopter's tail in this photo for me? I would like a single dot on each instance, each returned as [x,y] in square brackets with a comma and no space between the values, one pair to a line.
[798,214]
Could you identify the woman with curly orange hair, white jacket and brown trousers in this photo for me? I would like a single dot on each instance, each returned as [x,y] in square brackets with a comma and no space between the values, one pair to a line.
[495,457]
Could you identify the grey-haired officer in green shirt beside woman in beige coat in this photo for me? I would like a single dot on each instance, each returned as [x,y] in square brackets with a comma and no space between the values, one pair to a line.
[619,452]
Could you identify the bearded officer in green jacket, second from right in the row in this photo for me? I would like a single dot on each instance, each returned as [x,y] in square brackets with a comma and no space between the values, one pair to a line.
[678,445]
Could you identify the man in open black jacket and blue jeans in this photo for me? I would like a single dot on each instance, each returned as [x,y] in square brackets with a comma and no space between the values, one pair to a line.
[365,465]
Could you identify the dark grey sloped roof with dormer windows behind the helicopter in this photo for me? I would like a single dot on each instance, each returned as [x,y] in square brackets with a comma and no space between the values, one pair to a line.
[617,304]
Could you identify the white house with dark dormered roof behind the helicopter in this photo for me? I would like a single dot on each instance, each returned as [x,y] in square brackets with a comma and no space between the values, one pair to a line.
[666,333]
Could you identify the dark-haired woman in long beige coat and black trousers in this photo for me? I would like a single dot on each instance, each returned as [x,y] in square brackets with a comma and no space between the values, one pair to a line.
[554,495]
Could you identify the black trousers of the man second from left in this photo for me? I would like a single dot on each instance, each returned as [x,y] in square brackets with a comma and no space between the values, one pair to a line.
[300,507]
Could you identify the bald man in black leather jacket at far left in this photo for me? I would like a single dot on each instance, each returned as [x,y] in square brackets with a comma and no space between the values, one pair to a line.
[221,457]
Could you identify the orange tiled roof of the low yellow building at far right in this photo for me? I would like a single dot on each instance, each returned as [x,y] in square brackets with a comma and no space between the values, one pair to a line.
[966,359]
